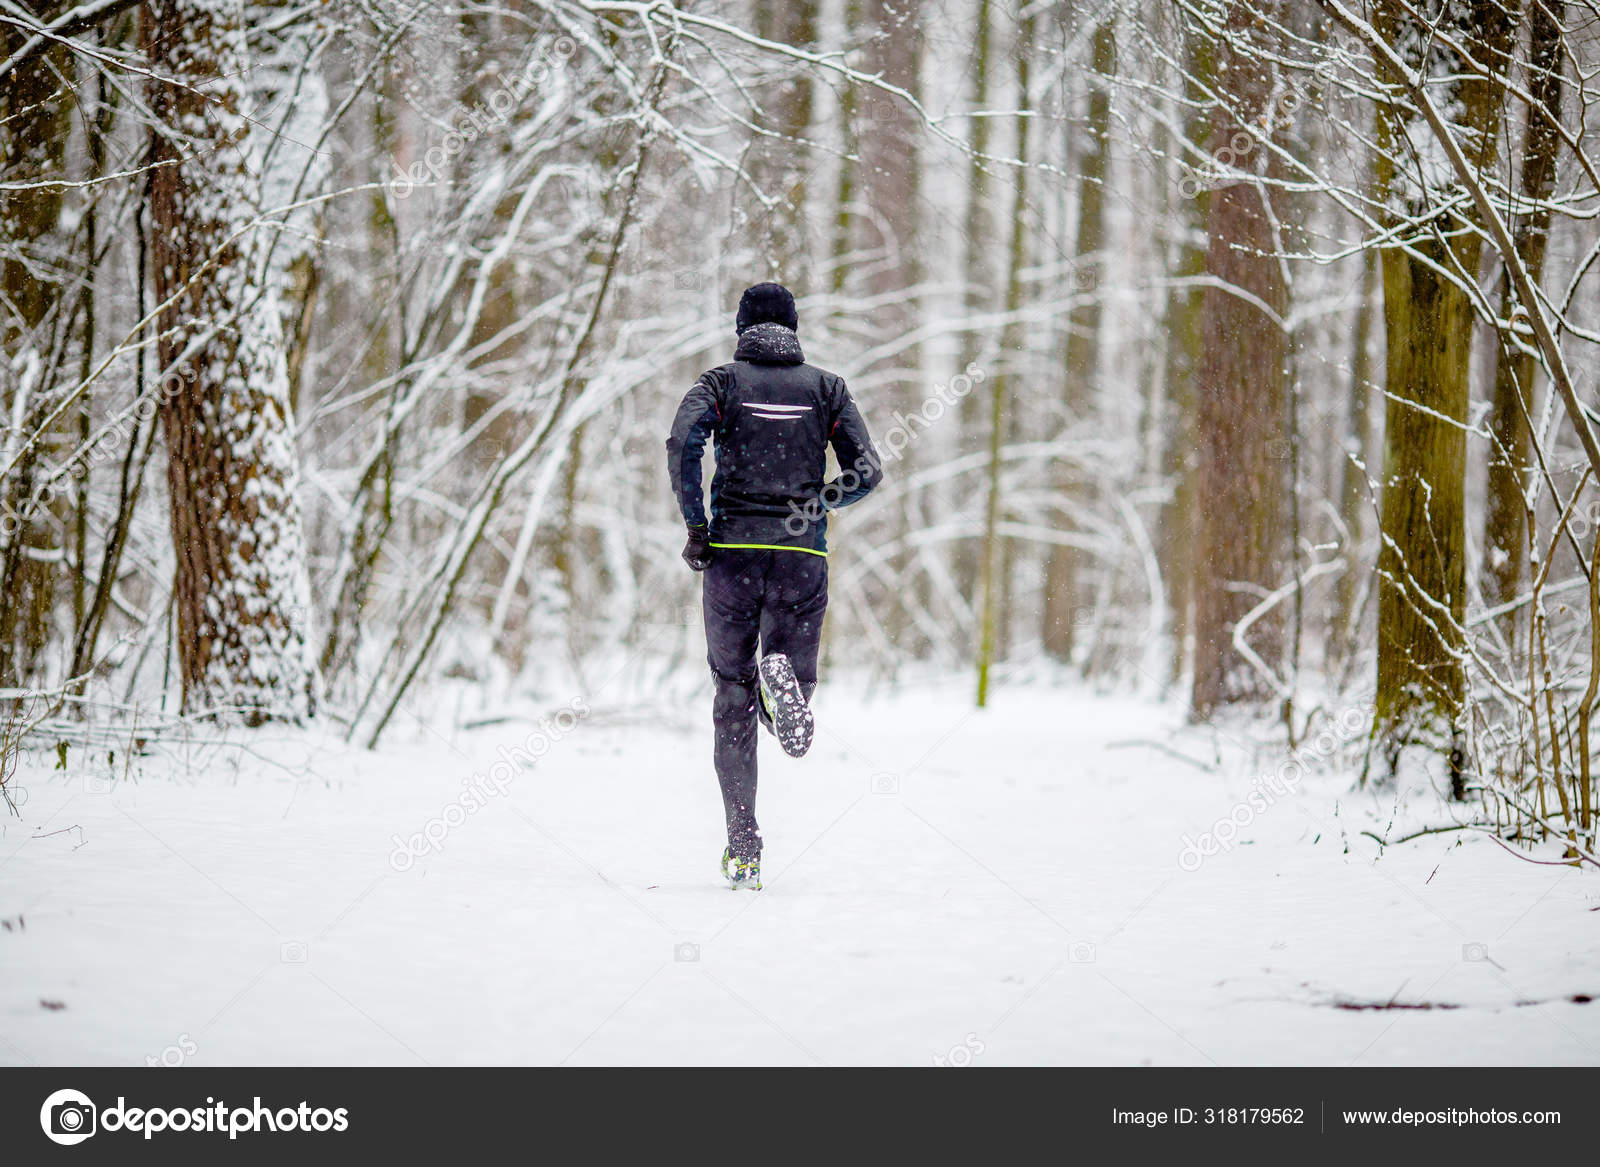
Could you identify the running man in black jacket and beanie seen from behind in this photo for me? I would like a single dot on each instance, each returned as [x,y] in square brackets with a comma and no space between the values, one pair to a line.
[764,550]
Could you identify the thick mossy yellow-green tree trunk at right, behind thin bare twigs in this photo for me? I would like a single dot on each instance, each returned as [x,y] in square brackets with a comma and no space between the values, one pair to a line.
[1428,323]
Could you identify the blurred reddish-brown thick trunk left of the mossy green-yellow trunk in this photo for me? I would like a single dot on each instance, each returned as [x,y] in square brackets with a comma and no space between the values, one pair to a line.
[1241,398]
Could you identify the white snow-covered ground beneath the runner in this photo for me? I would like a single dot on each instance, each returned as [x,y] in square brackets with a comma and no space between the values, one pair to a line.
[991,888]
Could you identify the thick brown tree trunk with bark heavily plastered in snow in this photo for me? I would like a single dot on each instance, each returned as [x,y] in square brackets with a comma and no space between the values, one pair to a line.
[242,592]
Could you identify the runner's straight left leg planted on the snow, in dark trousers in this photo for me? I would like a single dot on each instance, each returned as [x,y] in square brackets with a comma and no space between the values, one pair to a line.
[732,603]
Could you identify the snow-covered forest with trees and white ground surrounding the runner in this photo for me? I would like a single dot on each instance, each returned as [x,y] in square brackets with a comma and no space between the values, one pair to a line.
[1231,364]
